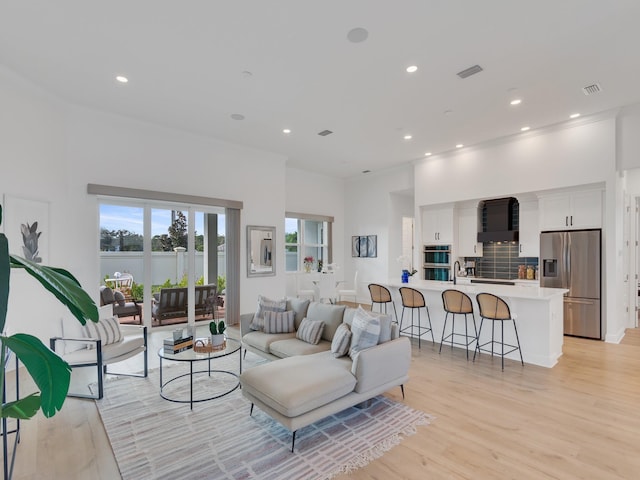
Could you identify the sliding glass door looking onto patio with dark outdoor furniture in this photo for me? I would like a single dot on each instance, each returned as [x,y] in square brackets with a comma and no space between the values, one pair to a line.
[176,255]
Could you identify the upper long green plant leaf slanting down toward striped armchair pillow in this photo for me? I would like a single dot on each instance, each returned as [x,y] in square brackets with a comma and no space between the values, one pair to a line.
[63,285]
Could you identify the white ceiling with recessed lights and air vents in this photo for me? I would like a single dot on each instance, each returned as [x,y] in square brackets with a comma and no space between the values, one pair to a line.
[185,62]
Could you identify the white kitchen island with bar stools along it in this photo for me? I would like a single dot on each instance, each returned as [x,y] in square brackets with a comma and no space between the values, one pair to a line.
[538,312]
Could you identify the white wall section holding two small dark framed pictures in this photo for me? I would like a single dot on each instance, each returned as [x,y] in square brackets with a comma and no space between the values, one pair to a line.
[372,207]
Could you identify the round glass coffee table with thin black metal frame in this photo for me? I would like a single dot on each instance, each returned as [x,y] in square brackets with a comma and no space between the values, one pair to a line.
[191,356]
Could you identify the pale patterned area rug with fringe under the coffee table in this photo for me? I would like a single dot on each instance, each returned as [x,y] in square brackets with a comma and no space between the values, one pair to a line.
[154,438]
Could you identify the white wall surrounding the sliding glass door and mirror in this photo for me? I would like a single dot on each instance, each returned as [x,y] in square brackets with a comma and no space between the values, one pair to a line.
[50,151]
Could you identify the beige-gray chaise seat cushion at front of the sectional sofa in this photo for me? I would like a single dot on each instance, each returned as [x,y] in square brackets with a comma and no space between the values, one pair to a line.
[297,385]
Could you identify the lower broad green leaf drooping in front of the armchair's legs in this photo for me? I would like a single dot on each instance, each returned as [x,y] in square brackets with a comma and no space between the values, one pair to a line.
[50,373]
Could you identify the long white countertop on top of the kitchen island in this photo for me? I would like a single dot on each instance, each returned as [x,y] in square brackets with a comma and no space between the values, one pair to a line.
[508,291]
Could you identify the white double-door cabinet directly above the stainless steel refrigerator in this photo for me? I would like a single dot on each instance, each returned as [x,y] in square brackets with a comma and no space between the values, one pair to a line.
[571,211]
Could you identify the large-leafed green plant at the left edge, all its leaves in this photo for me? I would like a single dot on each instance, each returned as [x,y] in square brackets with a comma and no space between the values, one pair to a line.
[50,373]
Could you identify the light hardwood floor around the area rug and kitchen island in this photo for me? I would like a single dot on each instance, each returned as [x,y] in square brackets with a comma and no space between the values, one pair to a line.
[579,419]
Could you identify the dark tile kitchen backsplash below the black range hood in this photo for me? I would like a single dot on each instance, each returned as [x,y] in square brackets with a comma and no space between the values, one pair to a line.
[500,260]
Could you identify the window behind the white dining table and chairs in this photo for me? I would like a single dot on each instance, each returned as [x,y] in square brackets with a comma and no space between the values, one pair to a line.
[307,236]
